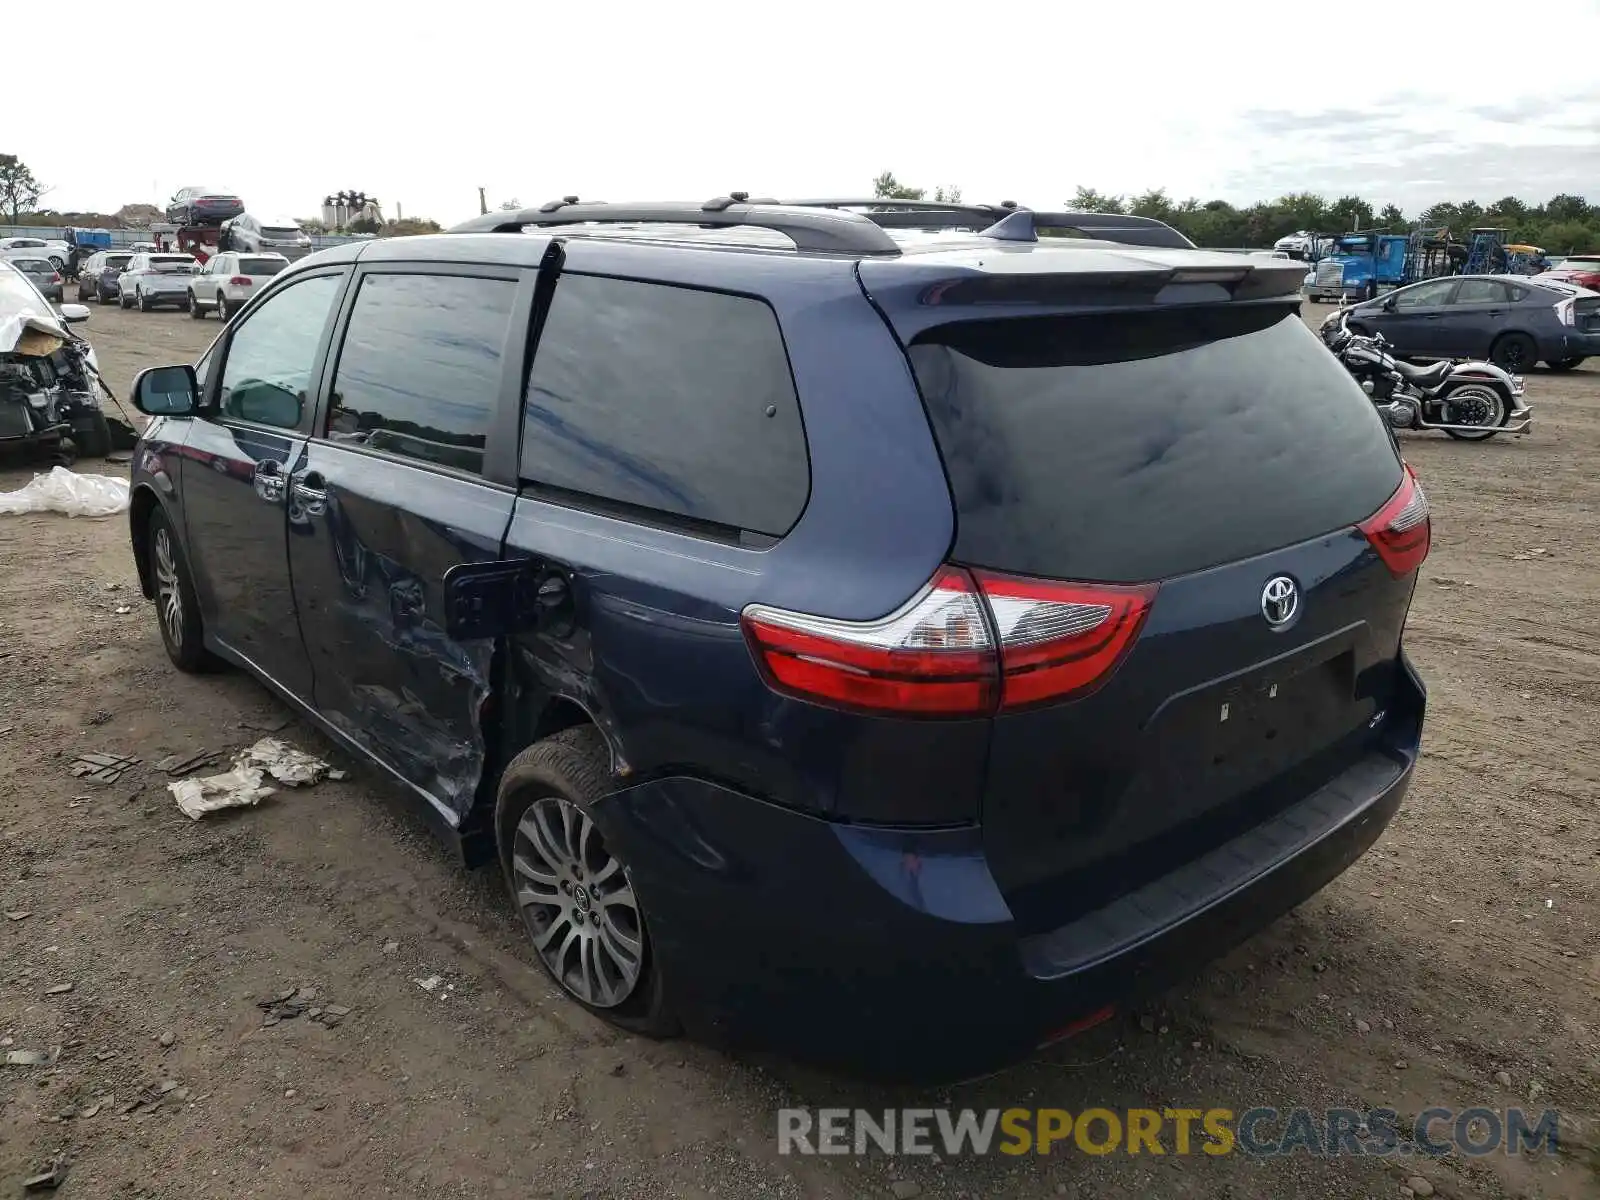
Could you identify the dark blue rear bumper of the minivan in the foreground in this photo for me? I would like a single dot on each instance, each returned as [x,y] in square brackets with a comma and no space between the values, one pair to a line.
[894,954]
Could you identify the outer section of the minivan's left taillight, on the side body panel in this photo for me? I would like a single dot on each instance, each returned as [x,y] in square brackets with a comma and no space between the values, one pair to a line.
[934,657]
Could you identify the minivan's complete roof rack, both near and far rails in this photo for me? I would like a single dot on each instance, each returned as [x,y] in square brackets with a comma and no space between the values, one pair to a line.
[834,225]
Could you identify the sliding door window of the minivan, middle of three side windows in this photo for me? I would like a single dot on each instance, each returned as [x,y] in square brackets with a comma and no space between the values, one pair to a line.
[420,369]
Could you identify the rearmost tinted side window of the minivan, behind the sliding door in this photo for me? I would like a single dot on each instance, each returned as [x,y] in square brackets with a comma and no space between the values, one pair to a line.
[666,399]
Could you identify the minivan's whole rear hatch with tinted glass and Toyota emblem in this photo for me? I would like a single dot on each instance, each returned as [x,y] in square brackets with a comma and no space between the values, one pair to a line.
[1214,463]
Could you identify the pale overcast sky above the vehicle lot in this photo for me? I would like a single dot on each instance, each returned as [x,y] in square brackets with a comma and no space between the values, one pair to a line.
[286,102]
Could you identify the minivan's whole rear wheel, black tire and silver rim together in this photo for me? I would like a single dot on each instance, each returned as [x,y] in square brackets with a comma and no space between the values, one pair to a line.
[570,886]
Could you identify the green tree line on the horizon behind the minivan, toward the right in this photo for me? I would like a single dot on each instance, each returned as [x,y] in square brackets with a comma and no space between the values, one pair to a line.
[1564,225]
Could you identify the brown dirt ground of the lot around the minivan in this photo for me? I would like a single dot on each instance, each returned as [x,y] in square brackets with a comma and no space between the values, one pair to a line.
[1457,966]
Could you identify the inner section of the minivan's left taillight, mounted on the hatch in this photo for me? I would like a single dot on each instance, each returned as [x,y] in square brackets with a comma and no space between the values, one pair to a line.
[1062,641]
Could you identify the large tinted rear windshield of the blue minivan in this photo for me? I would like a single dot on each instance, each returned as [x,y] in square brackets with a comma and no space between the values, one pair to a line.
[1134,447]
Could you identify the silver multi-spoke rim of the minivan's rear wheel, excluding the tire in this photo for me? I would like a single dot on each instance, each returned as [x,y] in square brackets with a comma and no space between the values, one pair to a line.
[578,903]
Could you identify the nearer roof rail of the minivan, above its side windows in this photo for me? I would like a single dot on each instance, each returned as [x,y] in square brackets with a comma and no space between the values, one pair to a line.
[807,228]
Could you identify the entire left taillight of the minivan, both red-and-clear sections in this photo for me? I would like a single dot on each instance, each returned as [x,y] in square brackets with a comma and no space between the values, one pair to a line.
[938,655]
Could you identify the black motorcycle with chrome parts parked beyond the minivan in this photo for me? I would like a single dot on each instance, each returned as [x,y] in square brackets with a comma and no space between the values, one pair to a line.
[1470,401]
